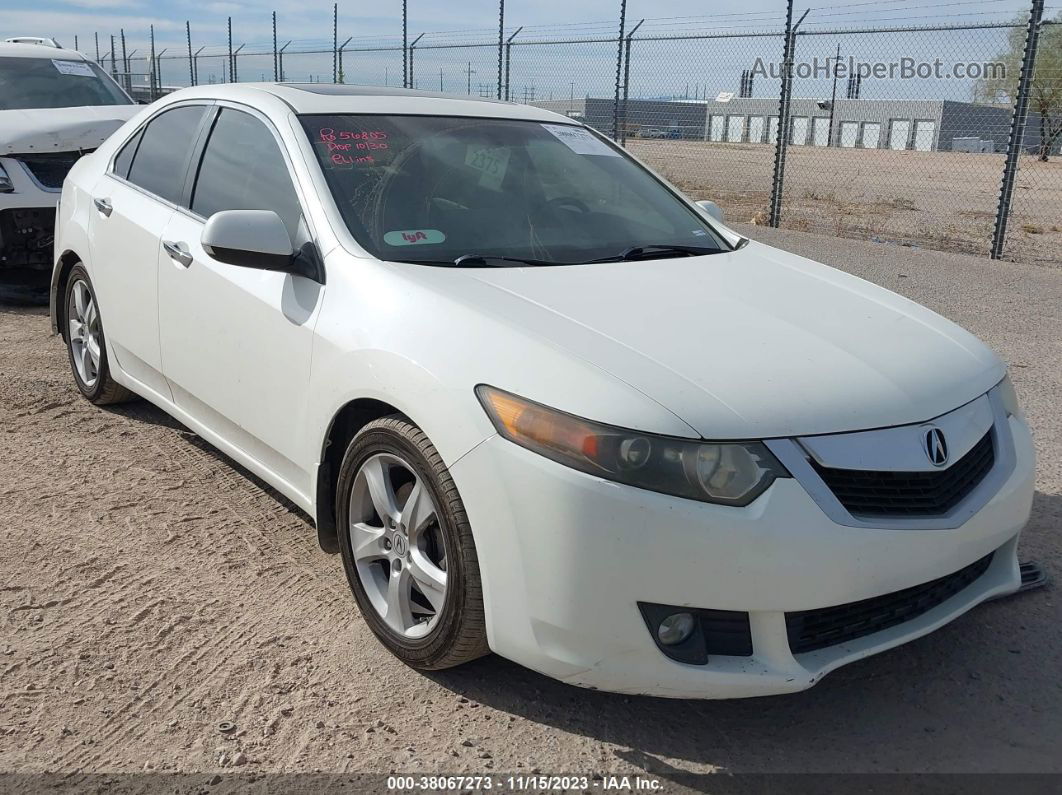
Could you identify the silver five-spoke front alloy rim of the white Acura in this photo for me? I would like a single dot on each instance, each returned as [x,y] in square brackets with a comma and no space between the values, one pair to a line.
[399,548]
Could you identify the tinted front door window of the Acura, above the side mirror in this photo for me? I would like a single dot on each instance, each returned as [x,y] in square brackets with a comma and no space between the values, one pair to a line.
[244,169]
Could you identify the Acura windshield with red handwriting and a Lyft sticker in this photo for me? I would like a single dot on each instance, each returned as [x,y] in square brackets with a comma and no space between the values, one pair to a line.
[434,189]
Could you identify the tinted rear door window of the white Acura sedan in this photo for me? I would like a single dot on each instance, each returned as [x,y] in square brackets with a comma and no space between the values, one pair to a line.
[159,166]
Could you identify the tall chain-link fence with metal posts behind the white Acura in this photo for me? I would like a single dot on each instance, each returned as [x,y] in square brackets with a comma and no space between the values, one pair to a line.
[946,135]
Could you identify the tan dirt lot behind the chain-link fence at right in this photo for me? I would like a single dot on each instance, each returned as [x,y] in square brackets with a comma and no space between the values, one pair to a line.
[939,200]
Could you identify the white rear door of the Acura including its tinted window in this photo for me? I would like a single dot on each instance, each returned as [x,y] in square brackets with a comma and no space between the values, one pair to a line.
[134,202]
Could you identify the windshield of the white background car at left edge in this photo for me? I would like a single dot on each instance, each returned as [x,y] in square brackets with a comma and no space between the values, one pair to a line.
[41,83]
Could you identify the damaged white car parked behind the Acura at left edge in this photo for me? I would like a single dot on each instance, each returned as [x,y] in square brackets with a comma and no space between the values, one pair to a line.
[56,106]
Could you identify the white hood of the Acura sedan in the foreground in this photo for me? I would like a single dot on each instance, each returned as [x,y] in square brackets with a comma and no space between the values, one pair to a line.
[751,344]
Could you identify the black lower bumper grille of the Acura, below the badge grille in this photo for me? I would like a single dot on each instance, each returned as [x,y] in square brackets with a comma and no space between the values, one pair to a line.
[828,627]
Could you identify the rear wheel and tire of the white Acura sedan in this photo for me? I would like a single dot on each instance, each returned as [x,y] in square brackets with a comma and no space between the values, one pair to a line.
[87,345]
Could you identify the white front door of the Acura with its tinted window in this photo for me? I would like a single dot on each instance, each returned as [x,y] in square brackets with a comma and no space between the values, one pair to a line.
[237,341]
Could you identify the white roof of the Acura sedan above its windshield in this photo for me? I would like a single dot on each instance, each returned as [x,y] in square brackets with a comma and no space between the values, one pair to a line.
[328,98]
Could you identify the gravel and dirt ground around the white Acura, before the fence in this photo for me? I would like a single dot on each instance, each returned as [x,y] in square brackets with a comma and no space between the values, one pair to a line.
[150,591]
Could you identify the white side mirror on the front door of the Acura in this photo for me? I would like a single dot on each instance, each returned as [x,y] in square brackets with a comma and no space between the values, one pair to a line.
[250,239]
